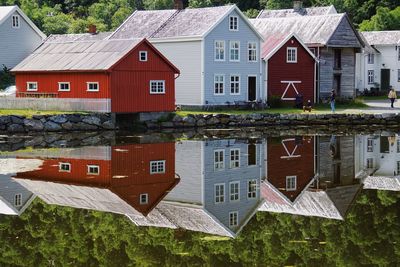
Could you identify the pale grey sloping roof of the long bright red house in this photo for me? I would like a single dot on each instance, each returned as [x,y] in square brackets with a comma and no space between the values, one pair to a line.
[76,55]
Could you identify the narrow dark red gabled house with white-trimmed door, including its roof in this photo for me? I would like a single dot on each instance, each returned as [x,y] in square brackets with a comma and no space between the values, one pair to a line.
[290,68]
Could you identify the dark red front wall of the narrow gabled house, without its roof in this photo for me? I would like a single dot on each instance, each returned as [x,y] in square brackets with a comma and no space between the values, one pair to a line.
[279,70]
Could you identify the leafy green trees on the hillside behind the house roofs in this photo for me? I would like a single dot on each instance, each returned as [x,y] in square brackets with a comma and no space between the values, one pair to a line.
[74,16]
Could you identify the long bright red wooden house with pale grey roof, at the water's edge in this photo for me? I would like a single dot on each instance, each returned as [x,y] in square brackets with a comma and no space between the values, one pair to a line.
[120,76]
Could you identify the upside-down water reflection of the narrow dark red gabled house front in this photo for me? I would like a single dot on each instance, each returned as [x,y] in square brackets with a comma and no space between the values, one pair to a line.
[290,164]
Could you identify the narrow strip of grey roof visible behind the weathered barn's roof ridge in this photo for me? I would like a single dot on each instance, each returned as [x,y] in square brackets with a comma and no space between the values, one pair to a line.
[309,11]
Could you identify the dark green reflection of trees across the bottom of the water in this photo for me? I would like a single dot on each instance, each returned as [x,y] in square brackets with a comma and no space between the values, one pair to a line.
[48,235]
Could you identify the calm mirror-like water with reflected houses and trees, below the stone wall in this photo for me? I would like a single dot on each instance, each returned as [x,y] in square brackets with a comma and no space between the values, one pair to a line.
[276,201]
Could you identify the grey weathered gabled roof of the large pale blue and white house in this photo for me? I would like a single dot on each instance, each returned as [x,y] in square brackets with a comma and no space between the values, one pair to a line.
[172,24]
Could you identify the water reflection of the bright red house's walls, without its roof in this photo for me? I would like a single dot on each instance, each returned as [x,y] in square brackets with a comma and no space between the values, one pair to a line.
[128,173]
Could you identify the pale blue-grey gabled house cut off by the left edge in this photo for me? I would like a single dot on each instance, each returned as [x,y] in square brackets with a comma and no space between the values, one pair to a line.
[18,34]
